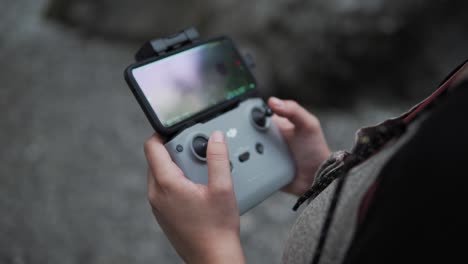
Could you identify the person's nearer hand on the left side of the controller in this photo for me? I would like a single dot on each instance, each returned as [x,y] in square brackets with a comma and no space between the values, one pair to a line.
[201,221]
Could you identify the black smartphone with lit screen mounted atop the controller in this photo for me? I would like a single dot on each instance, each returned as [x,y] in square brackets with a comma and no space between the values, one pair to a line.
[191,85]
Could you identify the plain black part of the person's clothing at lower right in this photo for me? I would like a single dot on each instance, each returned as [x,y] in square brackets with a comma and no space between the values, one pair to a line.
[415,210]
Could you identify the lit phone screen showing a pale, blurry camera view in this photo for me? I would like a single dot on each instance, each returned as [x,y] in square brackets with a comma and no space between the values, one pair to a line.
[186,83]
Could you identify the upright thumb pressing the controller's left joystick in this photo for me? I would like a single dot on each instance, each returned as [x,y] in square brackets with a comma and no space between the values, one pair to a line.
[217,157]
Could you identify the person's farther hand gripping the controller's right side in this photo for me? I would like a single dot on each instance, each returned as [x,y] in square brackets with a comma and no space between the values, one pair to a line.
[305,139]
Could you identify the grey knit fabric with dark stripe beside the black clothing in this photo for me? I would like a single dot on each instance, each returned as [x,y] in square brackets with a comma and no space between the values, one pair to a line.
[304,235]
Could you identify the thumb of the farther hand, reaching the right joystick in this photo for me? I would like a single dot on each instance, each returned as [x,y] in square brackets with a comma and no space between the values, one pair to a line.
[296,114]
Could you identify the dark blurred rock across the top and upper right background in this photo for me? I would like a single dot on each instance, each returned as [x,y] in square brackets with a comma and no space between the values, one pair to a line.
[330,51]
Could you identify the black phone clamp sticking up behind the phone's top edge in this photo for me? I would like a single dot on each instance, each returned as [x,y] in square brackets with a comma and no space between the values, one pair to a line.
[160,46]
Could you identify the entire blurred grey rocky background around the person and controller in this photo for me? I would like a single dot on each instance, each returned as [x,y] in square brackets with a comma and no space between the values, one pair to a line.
[72,171]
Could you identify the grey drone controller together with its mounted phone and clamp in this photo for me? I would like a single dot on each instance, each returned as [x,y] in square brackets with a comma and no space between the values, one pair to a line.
[189,89]
